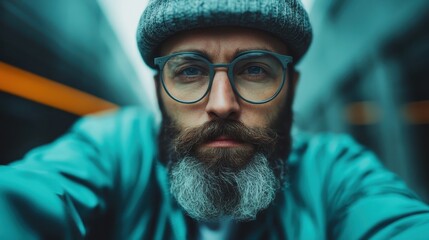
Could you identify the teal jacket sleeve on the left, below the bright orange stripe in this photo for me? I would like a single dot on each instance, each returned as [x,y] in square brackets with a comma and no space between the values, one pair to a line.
[61,190]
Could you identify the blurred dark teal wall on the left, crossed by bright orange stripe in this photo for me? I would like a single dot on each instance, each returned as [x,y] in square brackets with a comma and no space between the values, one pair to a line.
[69,42]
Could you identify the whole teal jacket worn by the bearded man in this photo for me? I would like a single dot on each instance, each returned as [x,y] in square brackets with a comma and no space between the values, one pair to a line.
[102,180]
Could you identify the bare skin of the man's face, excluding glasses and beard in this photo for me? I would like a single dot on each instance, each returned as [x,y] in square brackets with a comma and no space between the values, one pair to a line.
[221,45]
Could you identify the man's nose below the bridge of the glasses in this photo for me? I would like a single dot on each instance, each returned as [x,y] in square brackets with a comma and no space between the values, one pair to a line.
[222,101]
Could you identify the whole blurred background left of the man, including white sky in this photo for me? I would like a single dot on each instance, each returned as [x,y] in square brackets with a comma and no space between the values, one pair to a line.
[60,60]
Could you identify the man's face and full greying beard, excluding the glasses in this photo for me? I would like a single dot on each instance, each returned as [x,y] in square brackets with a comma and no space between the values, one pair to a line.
[221,162]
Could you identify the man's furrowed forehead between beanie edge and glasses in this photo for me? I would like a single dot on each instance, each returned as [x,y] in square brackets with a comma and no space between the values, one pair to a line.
[222,43]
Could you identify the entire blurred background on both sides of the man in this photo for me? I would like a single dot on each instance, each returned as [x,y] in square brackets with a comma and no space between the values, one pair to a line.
[366,73]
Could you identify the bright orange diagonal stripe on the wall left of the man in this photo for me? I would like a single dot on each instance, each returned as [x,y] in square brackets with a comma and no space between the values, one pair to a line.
[36,88]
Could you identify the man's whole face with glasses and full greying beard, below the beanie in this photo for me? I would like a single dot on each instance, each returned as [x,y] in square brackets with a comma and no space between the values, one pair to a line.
[226,126]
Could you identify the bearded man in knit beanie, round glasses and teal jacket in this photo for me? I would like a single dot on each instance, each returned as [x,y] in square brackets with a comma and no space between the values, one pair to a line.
[228,167]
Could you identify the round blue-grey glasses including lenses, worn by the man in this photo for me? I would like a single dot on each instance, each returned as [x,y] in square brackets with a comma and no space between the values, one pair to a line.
[256,76]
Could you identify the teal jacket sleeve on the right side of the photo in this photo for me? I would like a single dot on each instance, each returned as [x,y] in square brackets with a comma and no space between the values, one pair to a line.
[366,201]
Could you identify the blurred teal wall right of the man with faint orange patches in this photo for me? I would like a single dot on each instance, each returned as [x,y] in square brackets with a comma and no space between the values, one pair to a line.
[367,74]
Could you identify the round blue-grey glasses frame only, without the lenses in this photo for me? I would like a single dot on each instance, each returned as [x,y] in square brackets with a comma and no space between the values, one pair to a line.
[283,59]
